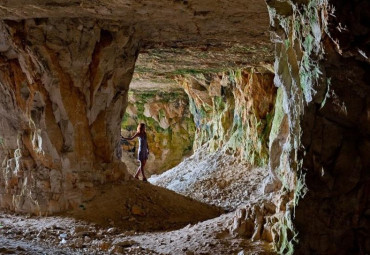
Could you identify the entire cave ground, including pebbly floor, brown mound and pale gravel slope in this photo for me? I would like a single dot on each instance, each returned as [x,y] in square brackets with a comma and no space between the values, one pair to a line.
[141,218]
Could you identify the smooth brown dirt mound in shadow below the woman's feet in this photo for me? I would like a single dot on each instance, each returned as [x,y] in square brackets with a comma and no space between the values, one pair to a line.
[144,207]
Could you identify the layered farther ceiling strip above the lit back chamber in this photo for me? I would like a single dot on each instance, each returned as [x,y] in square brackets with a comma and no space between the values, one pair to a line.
[162,65]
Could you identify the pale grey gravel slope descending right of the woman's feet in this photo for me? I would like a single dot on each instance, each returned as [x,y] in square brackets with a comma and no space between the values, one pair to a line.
[218,179]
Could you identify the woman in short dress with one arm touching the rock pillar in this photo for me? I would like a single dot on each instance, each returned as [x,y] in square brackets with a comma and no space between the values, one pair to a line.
[143,151]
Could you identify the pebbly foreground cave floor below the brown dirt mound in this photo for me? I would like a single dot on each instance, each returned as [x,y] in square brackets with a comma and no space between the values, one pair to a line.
[44,235]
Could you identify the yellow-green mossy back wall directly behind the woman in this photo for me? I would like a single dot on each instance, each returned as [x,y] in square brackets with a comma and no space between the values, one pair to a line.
[170,127]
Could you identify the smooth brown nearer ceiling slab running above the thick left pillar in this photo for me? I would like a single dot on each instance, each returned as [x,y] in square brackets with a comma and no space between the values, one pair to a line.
[166,22]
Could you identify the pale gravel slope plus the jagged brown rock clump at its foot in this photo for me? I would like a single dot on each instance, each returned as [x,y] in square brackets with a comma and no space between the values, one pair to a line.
[216,178]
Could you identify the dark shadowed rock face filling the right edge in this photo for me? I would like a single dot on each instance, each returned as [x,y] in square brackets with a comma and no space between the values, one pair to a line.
[336,138]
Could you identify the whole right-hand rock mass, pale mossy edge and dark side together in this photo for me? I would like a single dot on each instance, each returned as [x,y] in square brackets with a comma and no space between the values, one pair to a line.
[320,137]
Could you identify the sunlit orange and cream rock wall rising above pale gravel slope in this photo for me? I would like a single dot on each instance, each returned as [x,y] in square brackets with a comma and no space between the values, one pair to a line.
[233,111]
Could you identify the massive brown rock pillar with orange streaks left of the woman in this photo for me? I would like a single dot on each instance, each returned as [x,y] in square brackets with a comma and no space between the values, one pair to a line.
[63,91]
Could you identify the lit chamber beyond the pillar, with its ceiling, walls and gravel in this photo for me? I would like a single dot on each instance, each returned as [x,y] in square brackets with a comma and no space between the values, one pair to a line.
[208,111]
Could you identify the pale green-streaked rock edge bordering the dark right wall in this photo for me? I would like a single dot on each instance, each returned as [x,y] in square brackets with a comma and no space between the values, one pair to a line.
[298,54]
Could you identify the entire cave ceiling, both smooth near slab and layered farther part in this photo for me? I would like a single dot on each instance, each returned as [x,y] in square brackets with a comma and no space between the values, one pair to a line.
[177,36]
